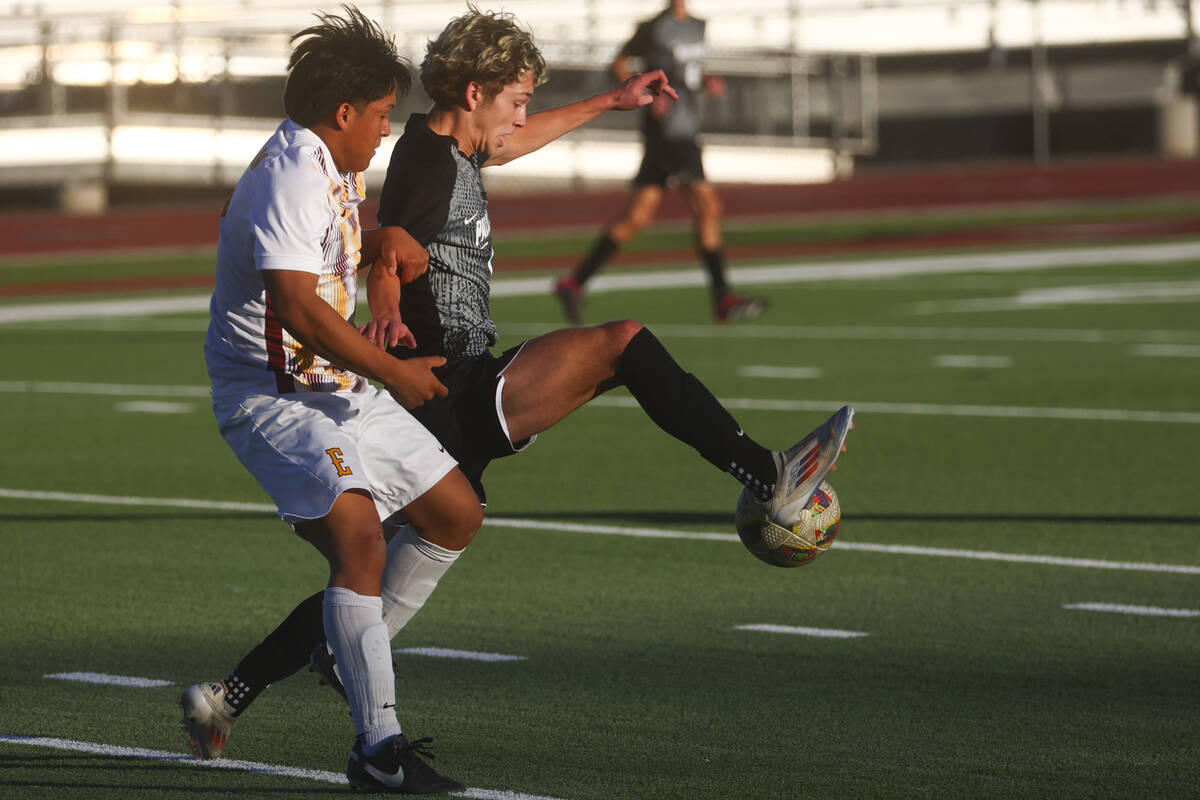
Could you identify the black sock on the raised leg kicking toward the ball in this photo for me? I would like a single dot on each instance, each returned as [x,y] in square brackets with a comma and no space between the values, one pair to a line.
[683,407]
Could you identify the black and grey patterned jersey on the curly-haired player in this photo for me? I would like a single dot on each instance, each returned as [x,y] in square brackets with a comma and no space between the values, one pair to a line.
[437,195]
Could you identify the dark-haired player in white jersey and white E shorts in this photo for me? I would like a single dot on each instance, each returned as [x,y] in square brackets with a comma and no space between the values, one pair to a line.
[291,394]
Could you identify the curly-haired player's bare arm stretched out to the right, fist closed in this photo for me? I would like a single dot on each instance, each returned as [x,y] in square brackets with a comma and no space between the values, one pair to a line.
[544,128]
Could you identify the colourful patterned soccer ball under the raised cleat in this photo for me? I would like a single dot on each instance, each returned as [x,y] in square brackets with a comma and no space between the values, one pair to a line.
[779,546]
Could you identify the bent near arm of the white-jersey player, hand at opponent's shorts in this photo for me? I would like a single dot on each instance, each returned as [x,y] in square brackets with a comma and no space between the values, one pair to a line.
[316,326]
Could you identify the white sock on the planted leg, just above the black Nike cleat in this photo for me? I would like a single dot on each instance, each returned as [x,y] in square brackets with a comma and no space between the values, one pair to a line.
[359,640]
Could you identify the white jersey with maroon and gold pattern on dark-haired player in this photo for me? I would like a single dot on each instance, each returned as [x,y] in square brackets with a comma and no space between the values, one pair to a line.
[292,210]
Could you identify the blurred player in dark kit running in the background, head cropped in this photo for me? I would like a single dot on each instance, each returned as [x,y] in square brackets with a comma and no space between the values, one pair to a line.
[674,43]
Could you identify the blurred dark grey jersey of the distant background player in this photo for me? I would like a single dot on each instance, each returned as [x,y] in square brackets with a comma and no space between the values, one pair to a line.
[677,47]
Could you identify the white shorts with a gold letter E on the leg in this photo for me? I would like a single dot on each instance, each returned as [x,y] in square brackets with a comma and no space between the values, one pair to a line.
[309,448]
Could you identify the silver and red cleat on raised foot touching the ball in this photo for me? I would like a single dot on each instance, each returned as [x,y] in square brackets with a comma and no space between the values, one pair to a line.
[802,468]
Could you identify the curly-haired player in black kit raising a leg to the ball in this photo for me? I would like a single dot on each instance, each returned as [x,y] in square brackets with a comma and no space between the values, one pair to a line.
[482,74]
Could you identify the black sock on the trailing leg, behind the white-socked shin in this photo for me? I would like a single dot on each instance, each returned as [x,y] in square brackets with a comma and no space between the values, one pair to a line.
[283,653]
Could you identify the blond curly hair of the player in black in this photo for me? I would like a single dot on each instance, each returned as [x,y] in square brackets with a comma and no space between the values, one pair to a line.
[485,47]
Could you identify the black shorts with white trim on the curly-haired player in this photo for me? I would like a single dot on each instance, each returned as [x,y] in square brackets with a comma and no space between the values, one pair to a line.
[467,420]
